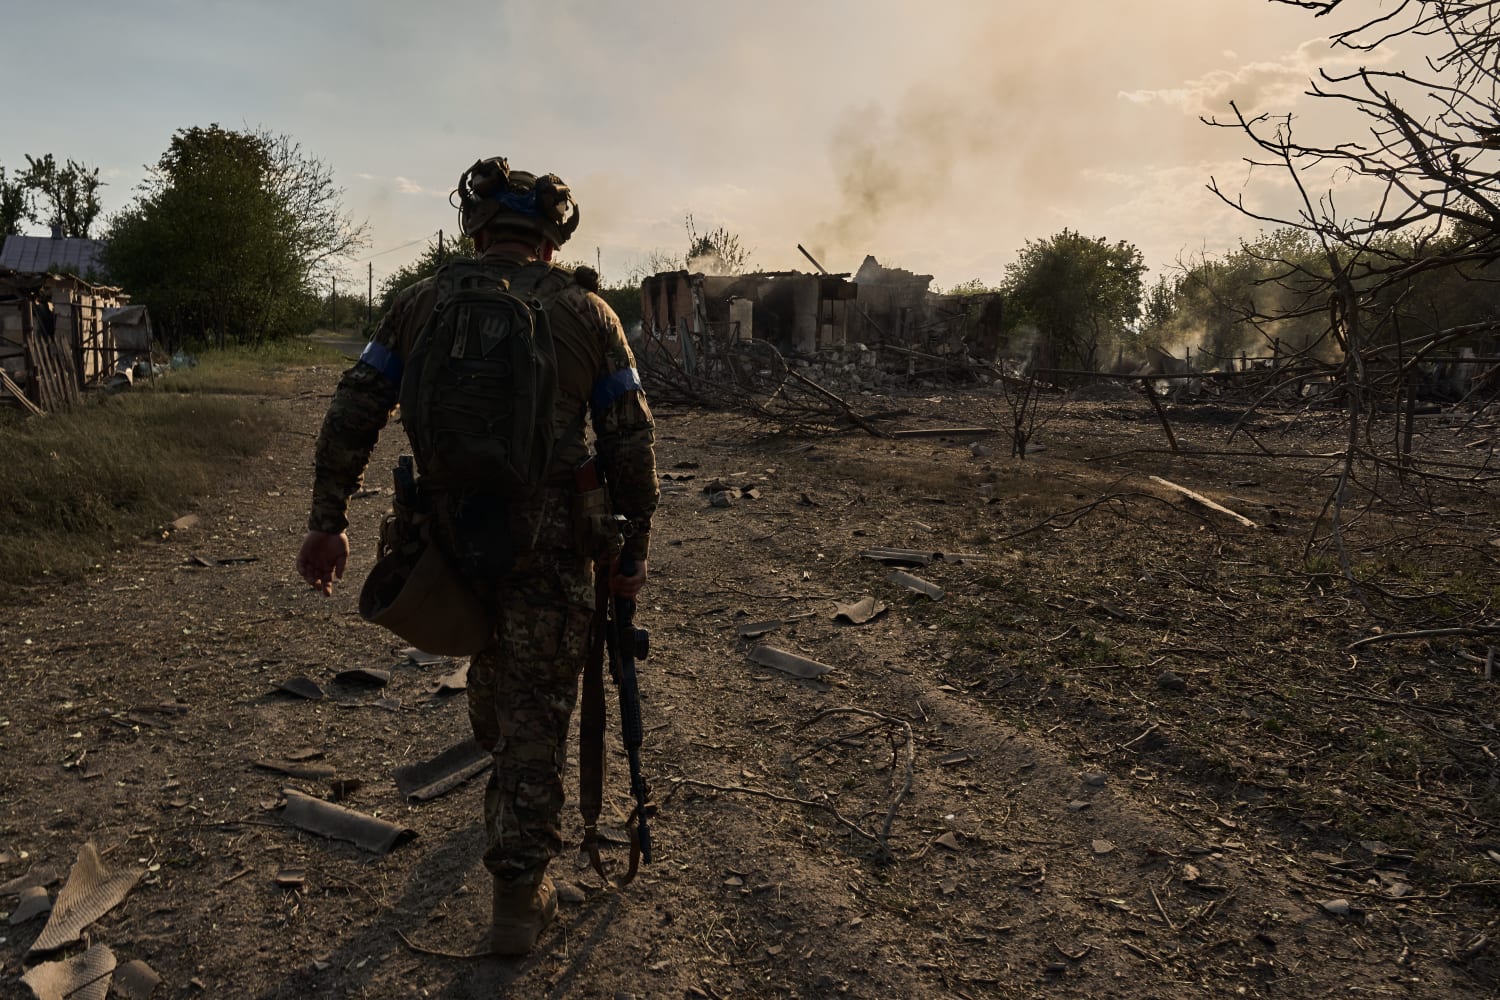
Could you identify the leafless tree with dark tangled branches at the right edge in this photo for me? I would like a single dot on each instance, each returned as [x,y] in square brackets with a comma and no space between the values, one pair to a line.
[1405,221]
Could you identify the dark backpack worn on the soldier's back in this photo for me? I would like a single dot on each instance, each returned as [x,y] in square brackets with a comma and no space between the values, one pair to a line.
[481,385]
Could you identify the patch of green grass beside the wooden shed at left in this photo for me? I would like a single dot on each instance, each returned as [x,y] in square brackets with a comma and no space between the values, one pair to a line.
[82,485]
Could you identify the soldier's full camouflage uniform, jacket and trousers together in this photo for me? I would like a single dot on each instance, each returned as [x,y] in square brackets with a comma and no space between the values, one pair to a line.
[524,686]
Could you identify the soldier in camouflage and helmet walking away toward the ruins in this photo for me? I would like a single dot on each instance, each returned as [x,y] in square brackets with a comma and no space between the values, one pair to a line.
[520,554]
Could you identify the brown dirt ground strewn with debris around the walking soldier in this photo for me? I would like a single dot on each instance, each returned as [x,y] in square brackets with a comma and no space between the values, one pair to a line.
[1052,843]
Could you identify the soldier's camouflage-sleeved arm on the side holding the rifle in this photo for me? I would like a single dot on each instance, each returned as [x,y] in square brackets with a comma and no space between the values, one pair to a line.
[625,433]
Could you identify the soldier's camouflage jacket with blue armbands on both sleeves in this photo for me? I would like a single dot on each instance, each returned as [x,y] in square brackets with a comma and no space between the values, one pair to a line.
[596,376]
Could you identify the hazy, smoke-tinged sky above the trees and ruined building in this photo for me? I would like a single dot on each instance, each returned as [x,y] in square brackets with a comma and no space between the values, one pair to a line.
[938,136]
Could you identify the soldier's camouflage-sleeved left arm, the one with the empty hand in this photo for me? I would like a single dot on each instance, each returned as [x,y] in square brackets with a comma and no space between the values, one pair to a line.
[362,404]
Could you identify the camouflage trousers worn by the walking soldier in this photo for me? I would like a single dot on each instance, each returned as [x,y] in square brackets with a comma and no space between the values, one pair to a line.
[523,690]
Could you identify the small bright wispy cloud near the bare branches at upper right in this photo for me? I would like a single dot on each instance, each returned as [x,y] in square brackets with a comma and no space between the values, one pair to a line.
[1264,86]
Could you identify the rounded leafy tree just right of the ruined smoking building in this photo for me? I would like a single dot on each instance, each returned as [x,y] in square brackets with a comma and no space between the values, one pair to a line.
[1081,293]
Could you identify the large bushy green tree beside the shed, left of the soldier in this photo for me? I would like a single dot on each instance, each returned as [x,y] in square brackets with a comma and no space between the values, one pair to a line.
[229,238]
